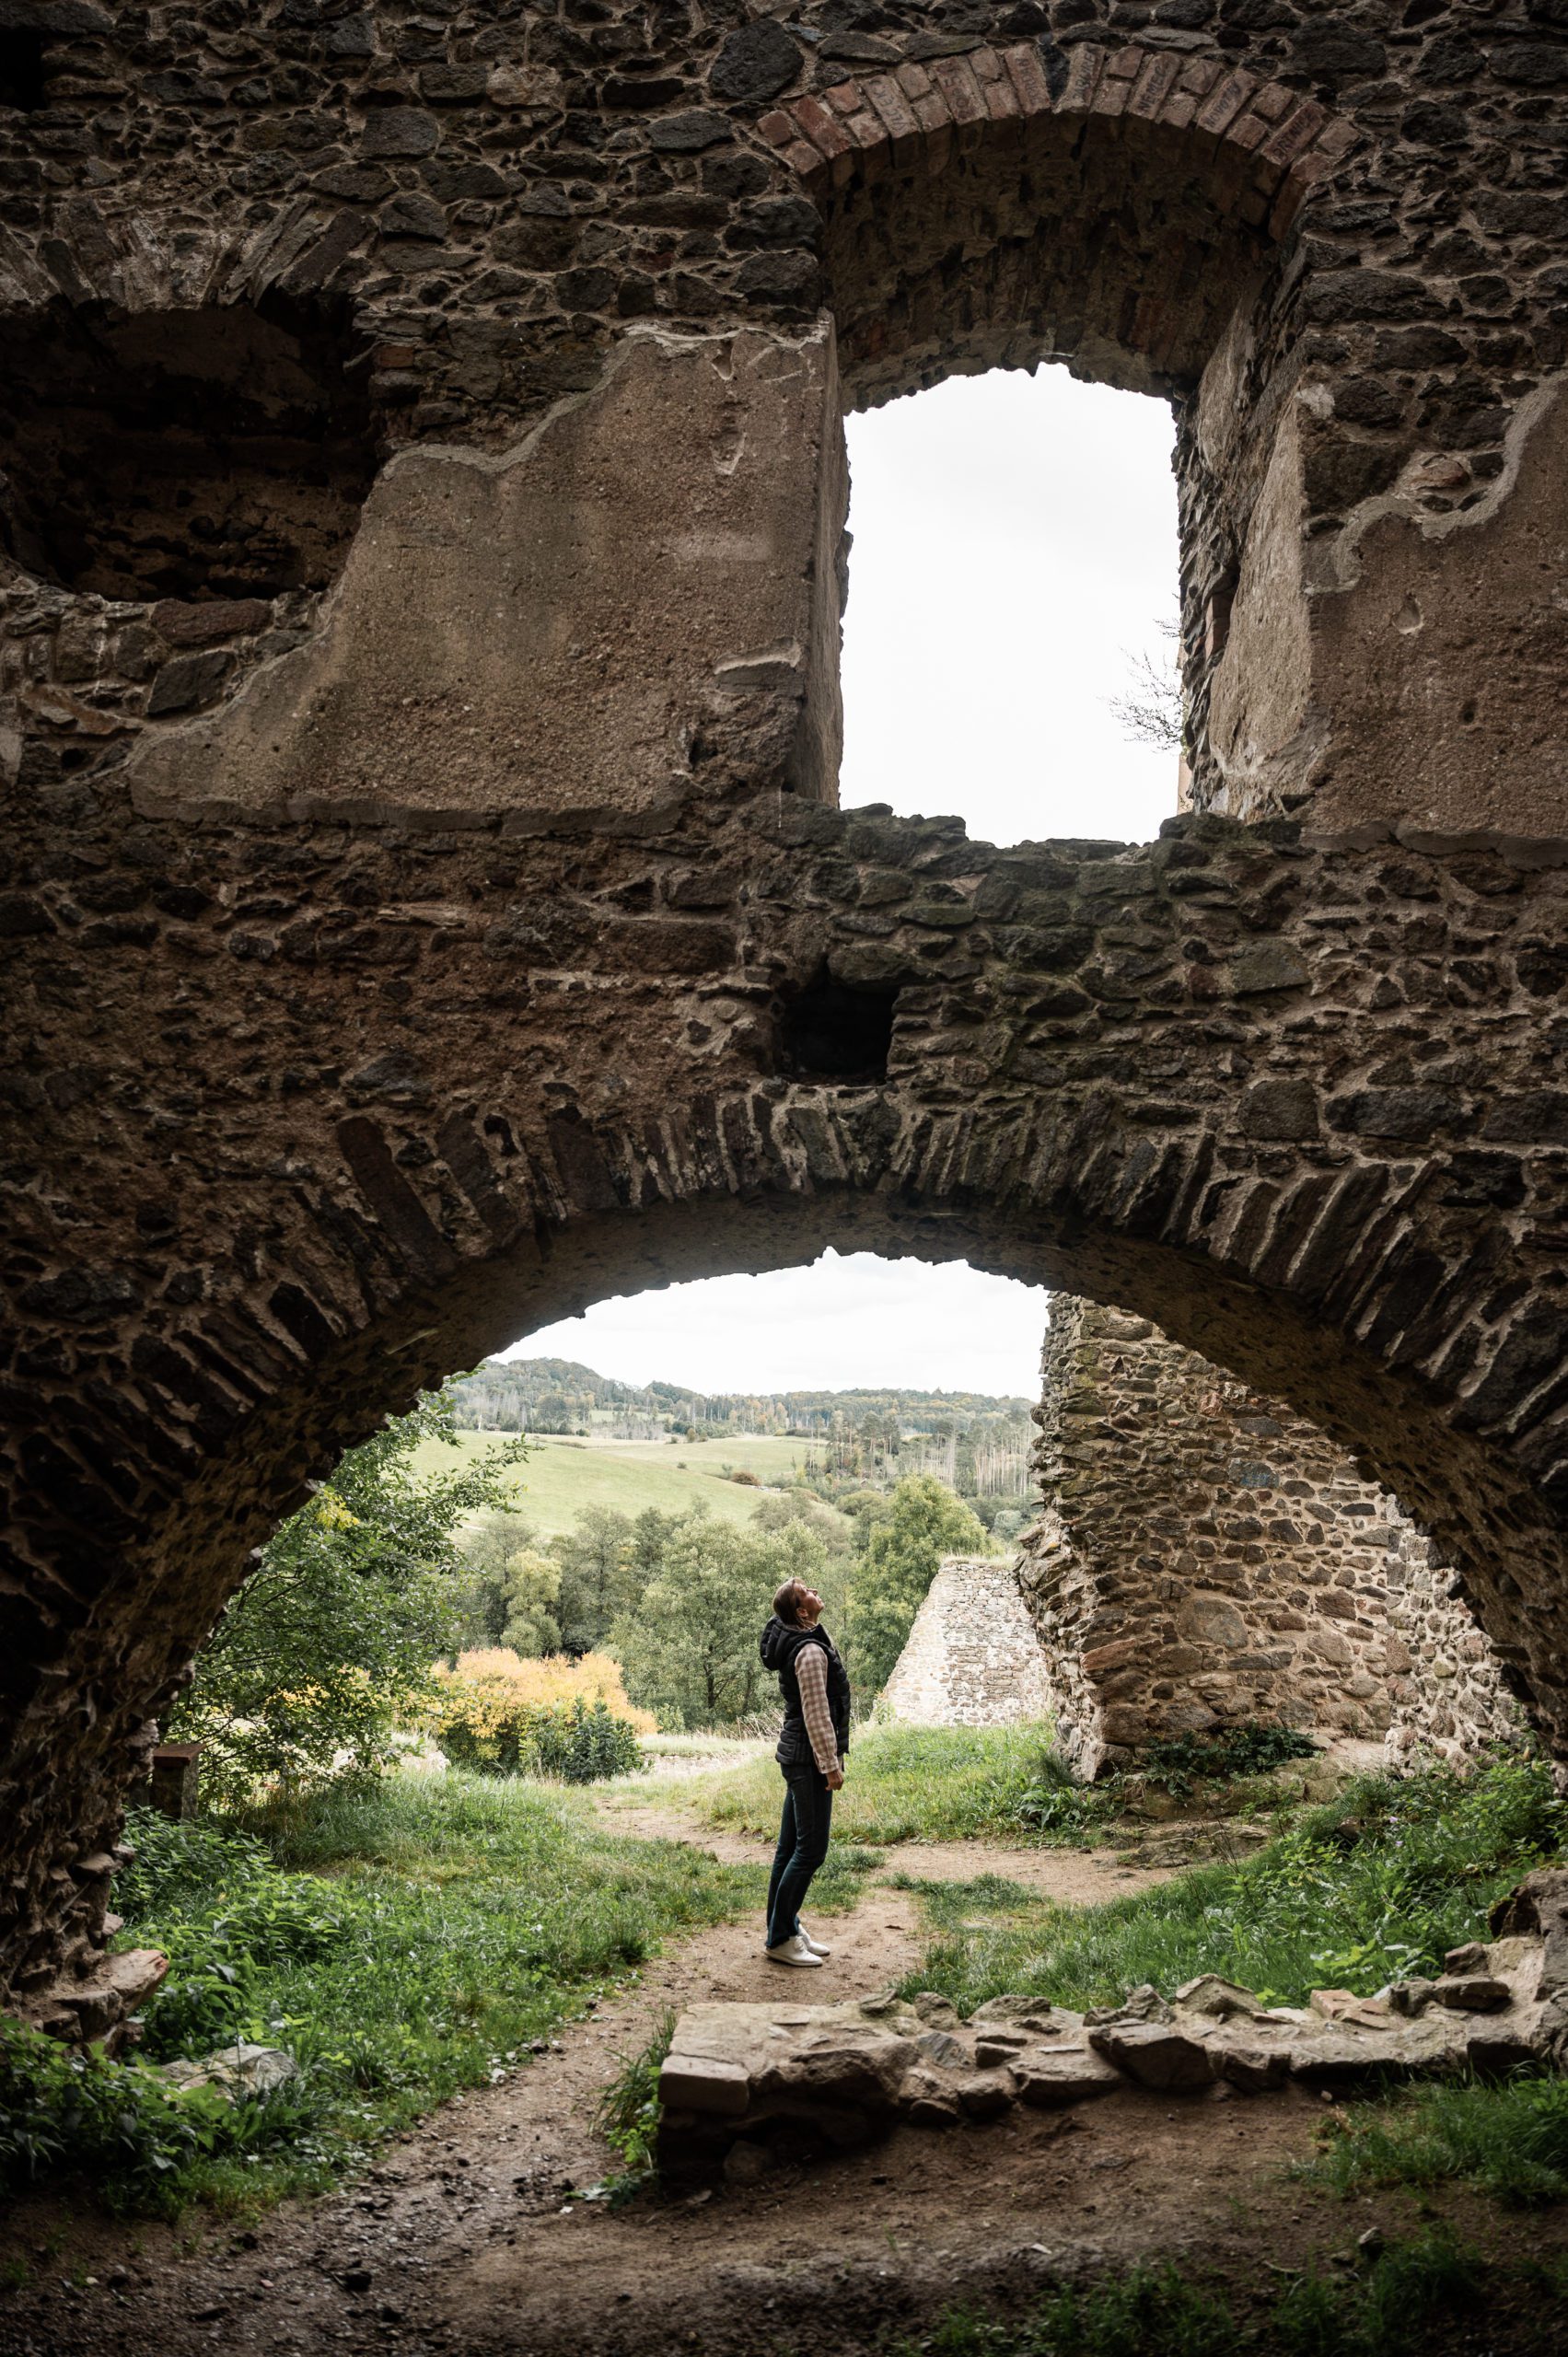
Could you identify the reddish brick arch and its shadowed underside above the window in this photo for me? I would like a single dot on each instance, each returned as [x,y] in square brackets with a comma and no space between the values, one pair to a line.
[1029,171]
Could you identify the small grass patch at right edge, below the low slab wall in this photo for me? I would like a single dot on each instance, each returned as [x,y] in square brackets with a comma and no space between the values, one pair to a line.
[1510,2141]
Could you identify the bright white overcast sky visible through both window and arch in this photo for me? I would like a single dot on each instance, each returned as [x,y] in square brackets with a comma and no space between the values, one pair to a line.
[1015,543]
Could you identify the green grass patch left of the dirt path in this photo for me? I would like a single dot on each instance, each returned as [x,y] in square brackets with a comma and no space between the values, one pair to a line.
[400,1943]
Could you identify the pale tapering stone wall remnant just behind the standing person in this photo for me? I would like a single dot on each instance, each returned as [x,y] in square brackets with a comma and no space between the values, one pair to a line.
[973,1656]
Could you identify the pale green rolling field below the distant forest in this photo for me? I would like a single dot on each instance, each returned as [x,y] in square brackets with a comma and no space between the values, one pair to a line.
[565,1477]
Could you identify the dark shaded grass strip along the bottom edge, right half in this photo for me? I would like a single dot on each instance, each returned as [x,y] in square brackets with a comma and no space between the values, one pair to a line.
[1390,2306]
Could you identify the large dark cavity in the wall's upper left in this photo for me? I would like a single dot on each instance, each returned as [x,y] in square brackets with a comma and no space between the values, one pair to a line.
[183,454]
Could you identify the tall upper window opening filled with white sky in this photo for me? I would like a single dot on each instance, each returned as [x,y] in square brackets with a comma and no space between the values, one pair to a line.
[1013,590]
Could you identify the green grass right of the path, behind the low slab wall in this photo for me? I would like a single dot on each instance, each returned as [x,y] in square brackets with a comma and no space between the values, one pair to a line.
[1310,1910]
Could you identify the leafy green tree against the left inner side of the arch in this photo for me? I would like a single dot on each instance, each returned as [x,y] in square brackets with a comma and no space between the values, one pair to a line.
[327,1651]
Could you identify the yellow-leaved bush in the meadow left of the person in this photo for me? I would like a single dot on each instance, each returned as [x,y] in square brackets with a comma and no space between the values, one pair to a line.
[510,1717]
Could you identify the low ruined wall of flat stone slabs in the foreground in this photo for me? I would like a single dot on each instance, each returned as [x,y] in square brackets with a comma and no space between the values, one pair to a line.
[751,2082]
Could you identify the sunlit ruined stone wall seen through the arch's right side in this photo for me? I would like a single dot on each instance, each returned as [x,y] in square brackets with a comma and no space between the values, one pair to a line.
[1208,1557]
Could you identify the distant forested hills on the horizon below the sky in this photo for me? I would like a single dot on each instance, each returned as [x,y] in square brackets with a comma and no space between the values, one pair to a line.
[975,1441]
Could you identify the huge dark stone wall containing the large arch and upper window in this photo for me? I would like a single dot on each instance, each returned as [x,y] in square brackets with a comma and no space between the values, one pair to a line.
[426,906]
